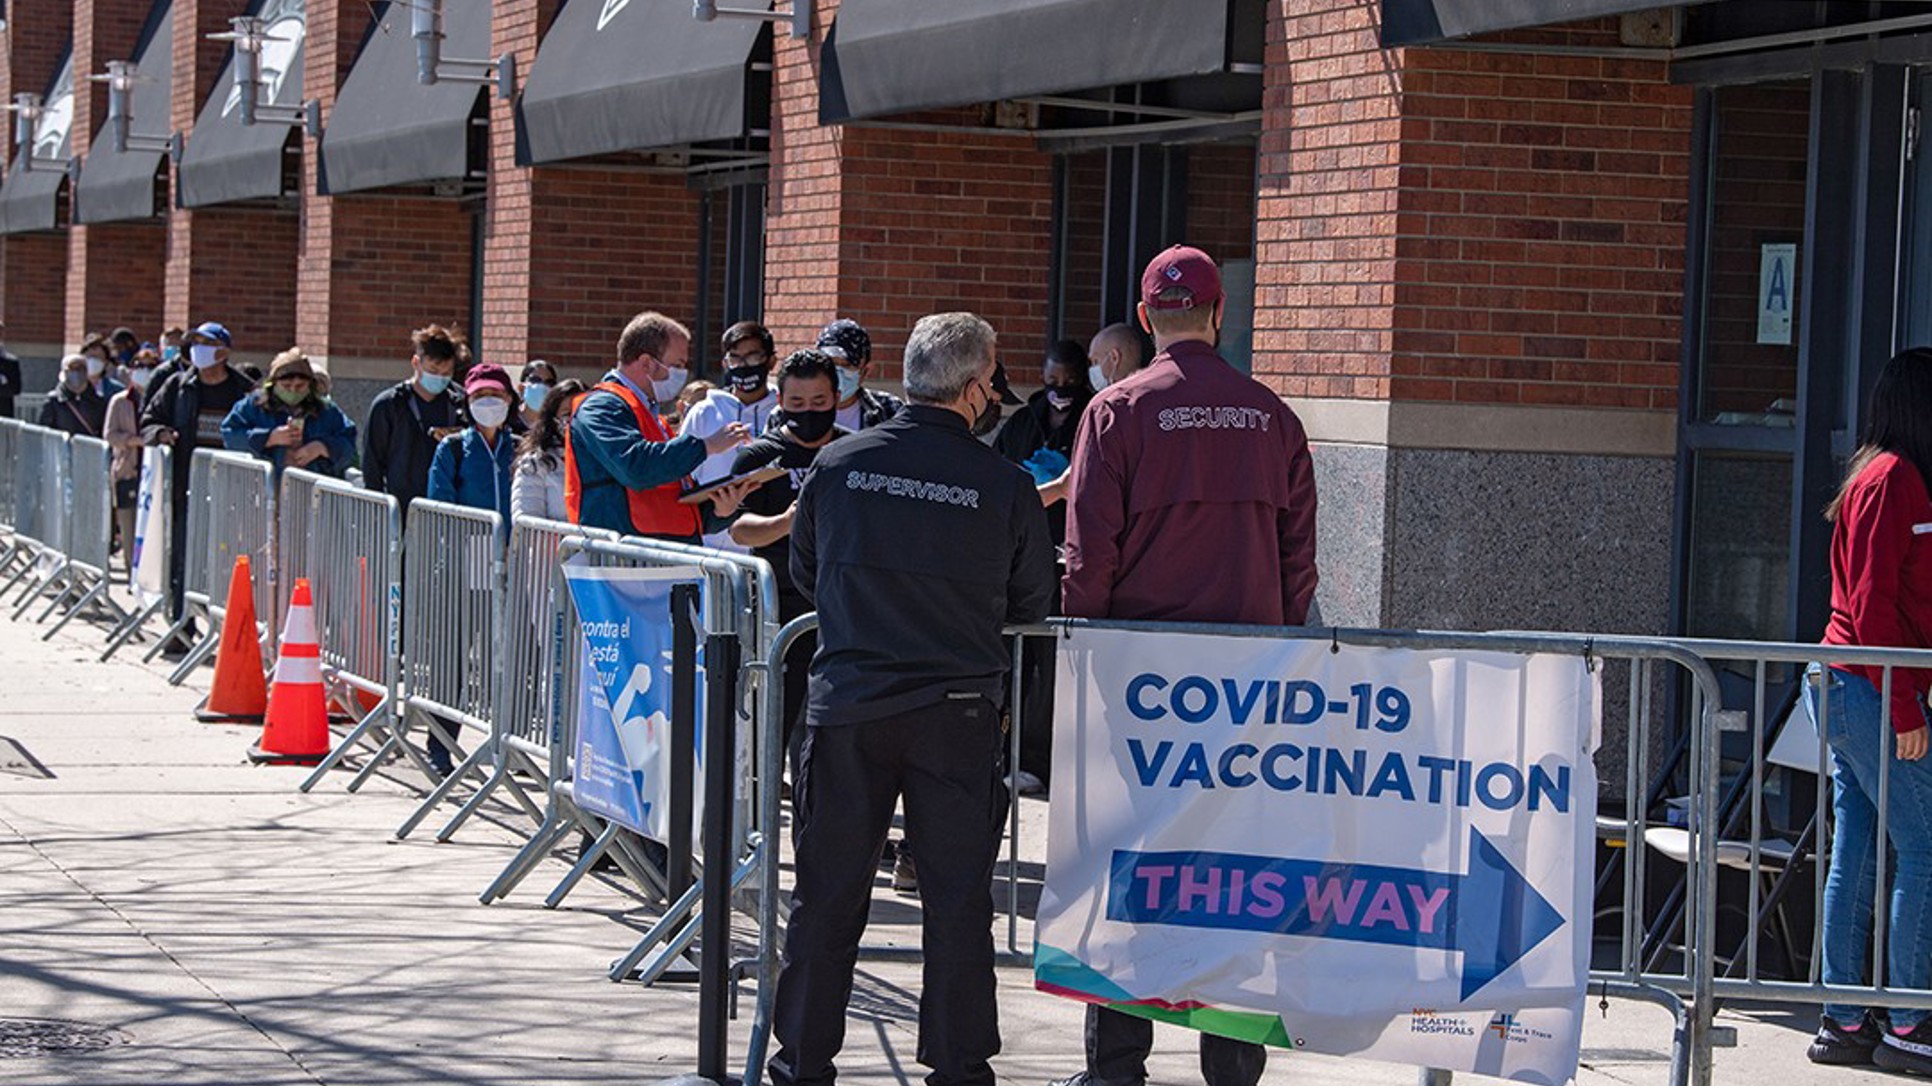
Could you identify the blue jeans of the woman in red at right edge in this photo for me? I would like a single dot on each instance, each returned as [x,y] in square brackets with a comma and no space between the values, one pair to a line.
[1852,731]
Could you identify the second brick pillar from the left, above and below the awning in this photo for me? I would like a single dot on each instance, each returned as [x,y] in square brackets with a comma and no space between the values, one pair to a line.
[115,271]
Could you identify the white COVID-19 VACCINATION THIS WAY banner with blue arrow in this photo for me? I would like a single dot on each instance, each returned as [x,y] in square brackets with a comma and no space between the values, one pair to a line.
[1348,851]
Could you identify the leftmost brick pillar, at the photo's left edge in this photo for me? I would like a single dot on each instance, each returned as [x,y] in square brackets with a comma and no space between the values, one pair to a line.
[34,268]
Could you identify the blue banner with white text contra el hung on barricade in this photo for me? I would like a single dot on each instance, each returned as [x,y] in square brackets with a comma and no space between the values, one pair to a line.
[623,755]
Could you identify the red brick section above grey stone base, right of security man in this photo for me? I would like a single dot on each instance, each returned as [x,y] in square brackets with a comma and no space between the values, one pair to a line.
[1446,225]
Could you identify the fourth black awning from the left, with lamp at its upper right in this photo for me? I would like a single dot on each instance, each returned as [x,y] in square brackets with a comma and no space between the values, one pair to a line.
[391,130]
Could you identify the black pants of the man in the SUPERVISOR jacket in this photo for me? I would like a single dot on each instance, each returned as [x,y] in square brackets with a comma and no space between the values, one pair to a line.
[946,762]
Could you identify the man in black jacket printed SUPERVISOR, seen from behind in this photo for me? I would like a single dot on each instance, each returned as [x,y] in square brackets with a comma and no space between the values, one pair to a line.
[917,544]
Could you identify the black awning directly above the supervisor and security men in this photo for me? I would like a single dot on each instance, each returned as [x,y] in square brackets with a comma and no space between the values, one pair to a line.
[888,57]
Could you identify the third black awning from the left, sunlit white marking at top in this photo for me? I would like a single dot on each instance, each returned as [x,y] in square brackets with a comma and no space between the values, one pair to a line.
[227,161]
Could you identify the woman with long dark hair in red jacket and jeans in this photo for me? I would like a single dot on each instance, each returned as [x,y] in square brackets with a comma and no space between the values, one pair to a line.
[1881,596]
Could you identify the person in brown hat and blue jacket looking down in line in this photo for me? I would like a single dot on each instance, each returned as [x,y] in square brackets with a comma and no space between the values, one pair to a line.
[291,422]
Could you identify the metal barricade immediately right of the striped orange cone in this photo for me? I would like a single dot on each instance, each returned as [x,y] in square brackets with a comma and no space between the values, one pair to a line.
[356,577]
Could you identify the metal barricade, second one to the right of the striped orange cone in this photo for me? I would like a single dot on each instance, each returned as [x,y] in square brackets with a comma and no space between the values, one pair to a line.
[453,639]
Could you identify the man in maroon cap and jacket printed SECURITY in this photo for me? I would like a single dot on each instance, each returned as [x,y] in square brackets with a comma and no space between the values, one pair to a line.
[1191,500]
